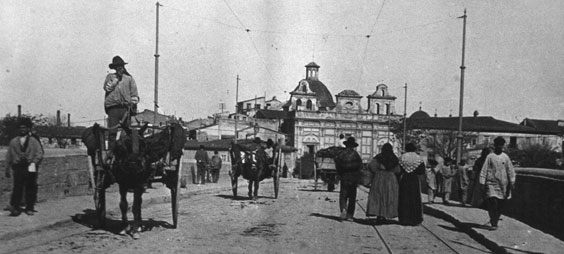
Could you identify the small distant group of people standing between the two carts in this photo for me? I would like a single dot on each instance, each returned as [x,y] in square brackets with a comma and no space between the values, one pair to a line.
[208,169]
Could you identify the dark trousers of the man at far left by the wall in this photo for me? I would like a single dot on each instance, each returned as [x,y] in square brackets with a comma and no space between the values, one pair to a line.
[24,180]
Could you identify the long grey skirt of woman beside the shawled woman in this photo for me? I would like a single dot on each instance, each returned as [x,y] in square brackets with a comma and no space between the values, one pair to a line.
[383,196]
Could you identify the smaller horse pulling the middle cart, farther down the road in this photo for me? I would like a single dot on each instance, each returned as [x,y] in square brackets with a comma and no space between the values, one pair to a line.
[252,162]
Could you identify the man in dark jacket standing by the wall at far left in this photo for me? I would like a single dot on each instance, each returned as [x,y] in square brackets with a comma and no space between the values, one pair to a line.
[22,158]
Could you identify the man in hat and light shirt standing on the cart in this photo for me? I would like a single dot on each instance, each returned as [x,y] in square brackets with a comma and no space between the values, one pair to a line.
[121,99]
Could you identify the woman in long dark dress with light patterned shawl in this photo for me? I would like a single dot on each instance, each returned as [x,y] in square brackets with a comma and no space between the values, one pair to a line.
[410,210]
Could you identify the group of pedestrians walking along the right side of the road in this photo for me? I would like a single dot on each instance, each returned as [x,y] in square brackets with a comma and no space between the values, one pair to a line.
[395,189]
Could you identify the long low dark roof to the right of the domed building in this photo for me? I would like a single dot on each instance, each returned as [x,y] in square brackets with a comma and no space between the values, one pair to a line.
[477,124]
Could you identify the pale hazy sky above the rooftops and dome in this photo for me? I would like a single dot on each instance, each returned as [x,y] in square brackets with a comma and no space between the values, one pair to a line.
[54,55]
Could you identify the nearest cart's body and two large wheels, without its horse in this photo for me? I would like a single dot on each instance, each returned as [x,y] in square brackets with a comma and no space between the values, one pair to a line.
[166,170]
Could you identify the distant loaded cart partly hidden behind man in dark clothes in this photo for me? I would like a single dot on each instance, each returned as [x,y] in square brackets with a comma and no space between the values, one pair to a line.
[325,167]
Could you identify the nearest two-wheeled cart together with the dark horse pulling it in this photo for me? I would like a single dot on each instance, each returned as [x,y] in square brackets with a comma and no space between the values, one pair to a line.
[137,160]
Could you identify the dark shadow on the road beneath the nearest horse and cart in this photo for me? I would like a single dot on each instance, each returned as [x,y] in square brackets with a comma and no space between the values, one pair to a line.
[88,219]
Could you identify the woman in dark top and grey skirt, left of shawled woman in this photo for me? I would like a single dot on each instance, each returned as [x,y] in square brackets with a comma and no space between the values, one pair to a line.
[384,188]
